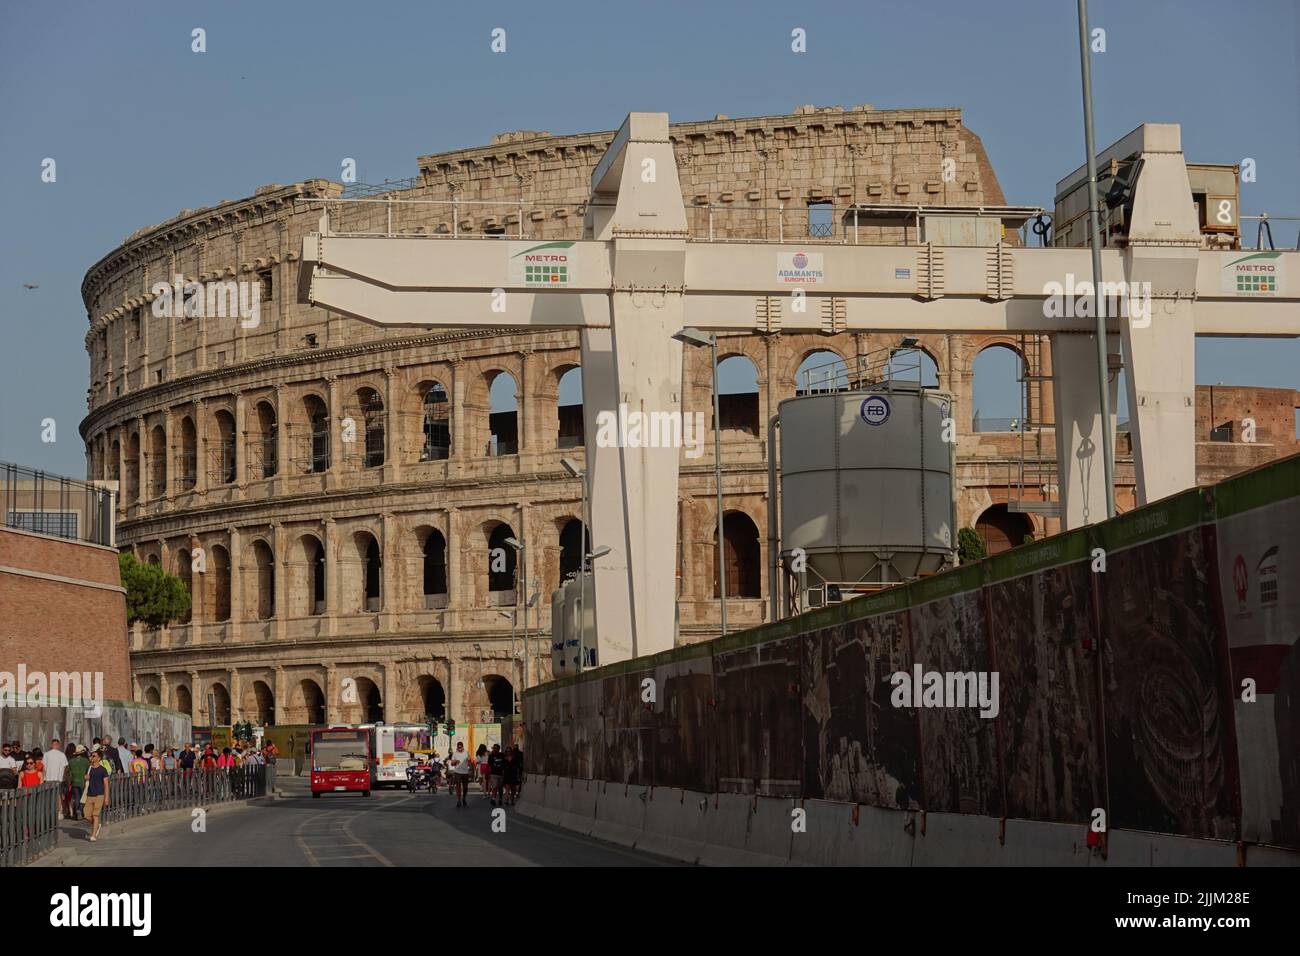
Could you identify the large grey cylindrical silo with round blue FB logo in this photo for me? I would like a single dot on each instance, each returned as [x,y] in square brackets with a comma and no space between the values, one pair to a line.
[868,488]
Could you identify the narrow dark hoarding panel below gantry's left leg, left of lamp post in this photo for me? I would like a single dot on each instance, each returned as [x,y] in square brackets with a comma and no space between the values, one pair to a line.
[683,724]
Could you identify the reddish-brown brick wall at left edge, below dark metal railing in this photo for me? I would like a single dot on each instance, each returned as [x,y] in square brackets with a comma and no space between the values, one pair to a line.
[64,609]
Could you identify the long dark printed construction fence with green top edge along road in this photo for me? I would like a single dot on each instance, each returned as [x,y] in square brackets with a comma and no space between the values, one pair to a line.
[1145,668]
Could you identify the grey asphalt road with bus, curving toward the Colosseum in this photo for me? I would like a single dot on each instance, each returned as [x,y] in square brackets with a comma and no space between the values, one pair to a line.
[389,829]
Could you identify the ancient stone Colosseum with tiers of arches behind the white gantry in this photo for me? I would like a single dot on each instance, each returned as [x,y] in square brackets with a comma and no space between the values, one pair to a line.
[333,494]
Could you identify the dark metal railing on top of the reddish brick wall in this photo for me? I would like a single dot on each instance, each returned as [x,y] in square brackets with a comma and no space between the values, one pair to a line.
[54,505]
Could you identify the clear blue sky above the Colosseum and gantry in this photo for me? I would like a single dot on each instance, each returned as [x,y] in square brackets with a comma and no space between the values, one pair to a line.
[142,128]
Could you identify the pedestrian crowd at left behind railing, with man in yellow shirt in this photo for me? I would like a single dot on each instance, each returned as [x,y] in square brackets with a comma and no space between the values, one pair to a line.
[86,773]
